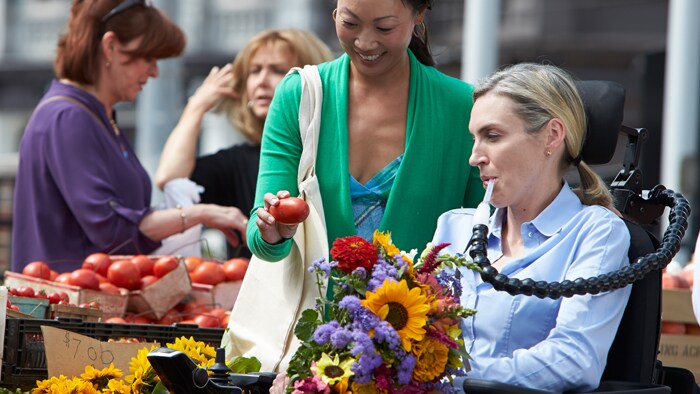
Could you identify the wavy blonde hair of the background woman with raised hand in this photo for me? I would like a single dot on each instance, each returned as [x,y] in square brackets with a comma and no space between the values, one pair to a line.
[305,48]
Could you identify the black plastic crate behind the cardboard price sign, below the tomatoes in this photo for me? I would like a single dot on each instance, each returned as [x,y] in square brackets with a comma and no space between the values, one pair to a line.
[24,358]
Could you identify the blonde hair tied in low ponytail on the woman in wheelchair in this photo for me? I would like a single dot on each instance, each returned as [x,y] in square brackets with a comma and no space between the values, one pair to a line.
[542,92]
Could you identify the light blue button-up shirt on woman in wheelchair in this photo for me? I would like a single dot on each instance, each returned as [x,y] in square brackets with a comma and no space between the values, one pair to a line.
[556,345]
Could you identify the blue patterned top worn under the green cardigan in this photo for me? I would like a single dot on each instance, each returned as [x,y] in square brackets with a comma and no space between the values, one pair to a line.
[369,200]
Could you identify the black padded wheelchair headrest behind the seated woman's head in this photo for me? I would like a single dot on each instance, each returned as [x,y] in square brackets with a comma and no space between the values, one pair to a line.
[604,102]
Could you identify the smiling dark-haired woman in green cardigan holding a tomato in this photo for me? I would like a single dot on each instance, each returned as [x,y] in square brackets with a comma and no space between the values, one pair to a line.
[394,143]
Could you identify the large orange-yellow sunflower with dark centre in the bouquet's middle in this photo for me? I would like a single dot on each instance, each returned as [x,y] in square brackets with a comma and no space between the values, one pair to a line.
[405,310]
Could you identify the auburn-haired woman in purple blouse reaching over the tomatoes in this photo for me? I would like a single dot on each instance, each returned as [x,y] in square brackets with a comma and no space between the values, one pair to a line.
[80,188]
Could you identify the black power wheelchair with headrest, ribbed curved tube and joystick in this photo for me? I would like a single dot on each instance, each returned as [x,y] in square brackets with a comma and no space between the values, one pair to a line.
[632,365]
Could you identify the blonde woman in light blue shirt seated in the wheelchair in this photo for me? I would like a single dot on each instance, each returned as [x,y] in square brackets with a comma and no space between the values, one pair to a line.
[528,124]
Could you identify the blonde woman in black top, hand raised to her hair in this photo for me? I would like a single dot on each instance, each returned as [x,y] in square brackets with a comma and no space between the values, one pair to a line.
[242,91]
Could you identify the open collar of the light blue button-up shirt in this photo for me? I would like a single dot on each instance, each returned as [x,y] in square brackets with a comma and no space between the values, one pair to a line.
[551,220]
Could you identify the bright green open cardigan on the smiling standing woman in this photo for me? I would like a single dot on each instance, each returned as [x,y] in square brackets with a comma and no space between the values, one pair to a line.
[433,177]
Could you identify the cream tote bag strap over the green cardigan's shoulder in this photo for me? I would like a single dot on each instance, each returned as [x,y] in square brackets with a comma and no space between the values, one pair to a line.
[309,118]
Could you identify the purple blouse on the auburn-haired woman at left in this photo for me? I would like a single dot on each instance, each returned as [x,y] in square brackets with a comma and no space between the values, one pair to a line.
[80,188]
